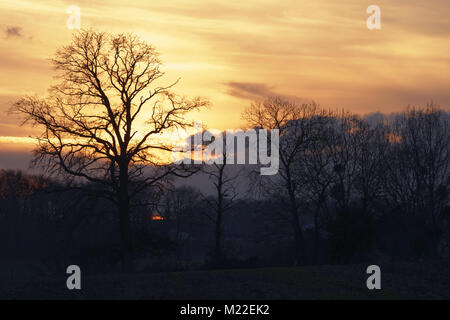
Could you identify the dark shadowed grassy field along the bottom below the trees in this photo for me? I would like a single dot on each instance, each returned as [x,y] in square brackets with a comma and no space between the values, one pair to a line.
[399,281]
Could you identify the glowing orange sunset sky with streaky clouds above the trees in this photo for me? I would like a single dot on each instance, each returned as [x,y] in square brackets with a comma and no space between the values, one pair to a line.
[234,52]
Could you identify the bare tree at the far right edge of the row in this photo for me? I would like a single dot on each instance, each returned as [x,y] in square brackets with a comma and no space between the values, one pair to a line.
[418,166]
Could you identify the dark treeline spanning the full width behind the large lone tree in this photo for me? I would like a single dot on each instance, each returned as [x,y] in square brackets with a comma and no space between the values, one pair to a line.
[349,189]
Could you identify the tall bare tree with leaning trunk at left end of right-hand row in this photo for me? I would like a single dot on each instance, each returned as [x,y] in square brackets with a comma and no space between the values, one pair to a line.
[298,125]
